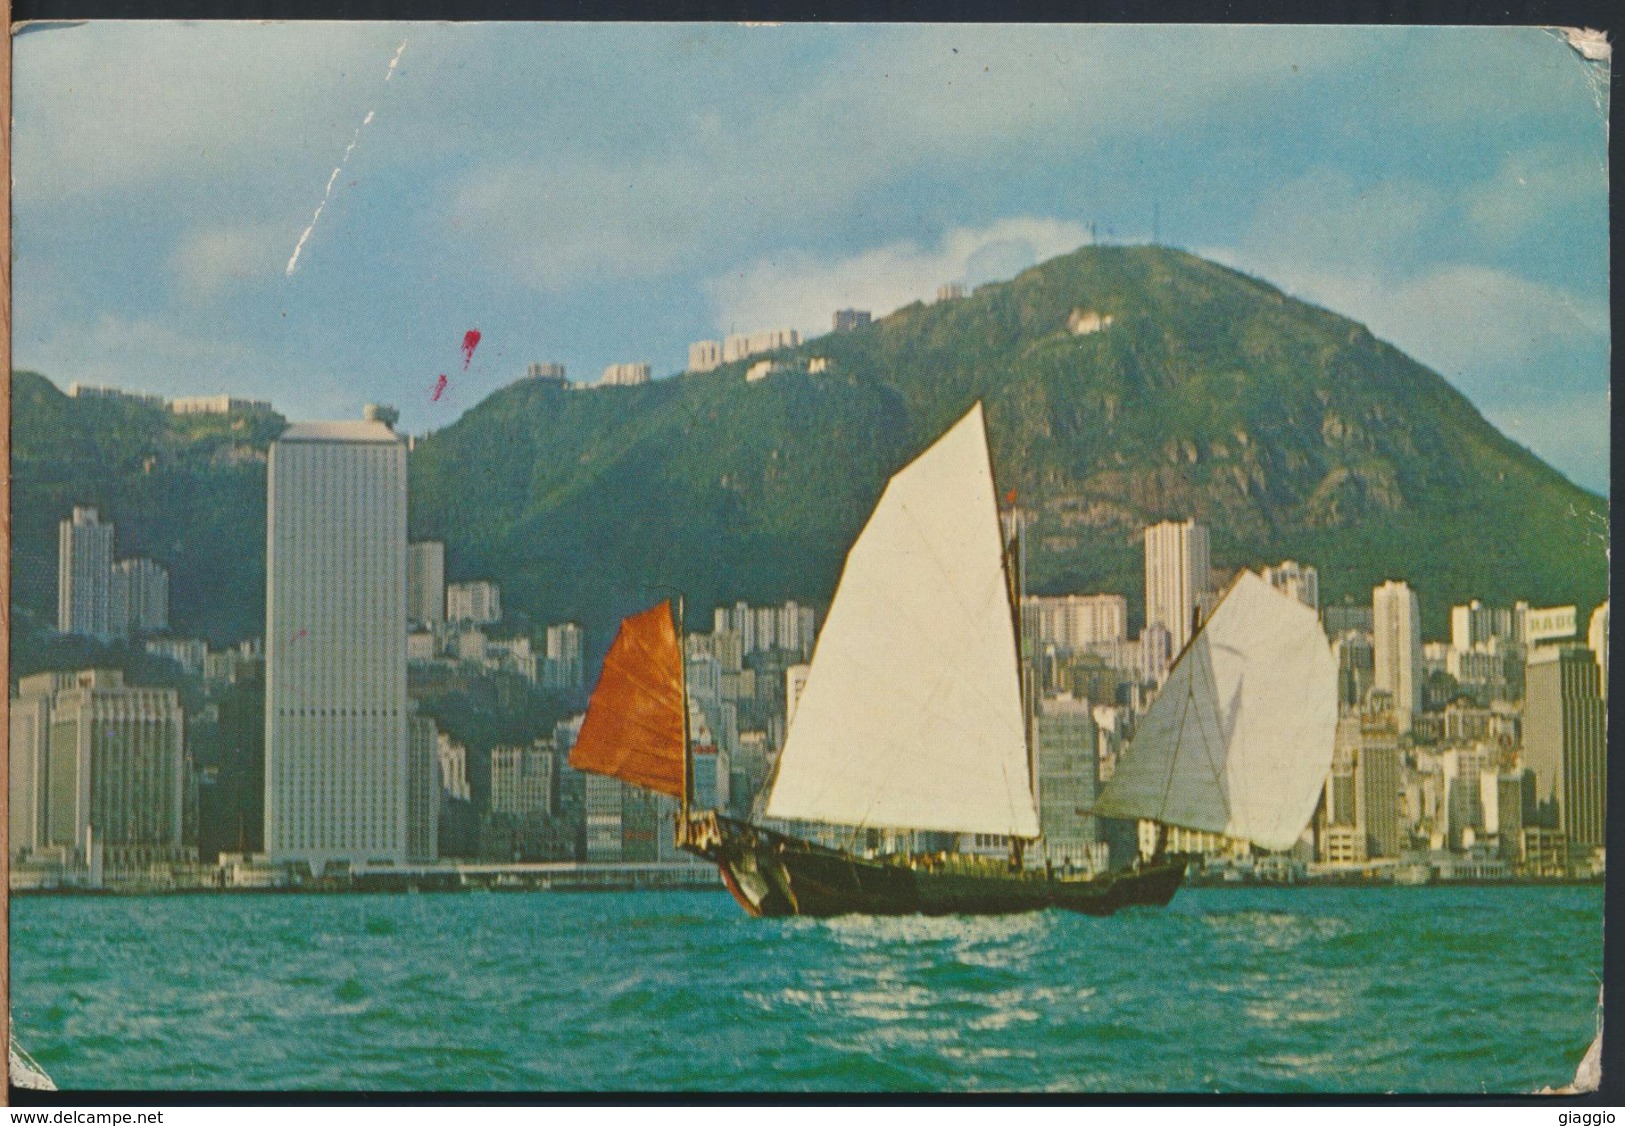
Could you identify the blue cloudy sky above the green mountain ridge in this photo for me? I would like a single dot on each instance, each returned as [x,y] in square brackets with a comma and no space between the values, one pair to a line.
[612,193]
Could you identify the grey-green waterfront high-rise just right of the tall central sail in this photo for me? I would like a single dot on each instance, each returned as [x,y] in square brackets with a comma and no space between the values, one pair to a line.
[1068,779]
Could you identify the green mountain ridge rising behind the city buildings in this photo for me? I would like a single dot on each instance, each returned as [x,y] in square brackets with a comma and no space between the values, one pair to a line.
[1288,430]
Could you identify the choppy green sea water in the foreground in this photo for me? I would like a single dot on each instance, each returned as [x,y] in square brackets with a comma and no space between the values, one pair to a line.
[1254,990]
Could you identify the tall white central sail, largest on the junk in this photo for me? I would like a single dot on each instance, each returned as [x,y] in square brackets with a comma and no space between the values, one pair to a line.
[912,714]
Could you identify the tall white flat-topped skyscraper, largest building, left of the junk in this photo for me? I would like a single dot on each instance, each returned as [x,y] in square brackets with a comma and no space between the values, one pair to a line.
[336,646]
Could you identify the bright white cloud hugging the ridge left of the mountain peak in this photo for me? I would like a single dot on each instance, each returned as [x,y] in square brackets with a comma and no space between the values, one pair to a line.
[802,292]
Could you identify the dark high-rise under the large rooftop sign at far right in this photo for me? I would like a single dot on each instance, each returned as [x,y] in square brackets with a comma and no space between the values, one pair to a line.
[1564,740]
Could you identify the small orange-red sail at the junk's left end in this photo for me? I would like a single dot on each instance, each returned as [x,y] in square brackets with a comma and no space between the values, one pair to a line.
[635,722]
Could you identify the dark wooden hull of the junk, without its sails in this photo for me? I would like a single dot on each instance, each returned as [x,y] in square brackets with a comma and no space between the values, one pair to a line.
[774,875]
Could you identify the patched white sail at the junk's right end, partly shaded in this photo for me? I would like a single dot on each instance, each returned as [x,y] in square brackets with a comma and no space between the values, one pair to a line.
[1241,738]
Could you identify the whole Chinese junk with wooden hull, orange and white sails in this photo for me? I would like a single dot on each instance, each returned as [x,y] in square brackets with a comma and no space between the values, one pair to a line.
[914,721]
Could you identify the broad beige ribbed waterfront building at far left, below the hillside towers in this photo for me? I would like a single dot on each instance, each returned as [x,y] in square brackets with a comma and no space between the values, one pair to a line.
[115,771]
